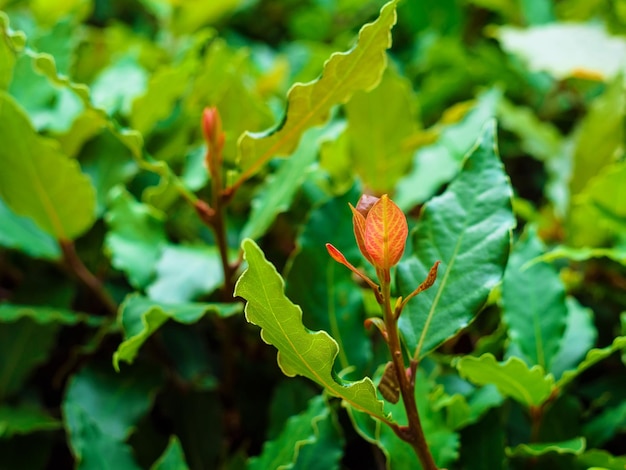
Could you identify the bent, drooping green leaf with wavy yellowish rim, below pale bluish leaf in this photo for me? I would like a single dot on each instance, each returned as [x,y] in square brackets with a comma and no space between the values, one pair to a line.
[140,317]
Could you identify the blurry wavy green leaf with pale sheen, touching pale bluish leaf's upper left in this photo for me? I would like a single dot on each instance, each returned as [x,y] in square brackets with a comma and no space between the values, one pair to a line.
[136,237]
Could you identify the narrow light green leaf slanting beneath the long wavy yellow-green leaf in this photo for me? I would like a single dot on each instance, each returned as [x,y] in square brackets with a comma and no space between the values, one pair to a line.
[280,188]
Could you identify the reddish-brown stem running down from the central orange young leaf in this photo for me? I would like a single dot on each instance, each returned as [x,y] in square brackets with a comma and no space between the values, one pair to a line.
[415,434]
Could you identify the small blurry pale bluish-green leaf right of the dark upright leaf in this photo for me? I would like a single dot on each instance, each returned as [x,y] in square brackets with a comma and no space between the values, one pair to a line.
[579,337]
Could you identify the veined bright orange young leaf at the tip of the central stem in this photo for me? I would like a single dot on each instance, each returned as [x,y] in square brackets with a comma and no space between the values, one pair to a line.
[386,231]
